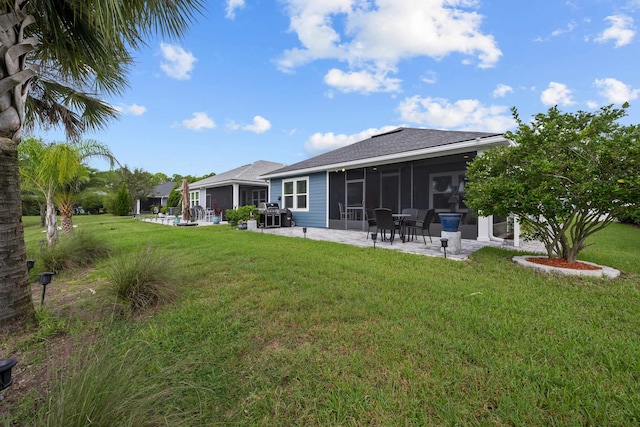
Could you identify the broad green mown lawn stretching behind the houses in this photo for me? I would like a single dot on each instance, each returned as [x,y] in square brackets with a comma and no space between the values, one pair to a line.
[280,331]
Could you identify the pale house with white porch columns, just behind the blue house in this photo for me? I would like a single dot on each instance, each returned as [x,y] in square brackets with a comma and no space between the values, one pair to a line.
[238,187]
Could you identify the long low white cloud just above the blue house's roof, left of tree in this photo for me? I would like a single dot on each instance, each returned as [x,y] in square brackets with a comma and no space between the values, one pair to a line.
[464,114]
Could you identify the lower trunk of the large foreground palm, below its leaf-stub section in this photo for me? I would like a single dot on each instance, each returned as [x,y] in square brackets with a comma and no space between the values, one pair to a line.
[15,292]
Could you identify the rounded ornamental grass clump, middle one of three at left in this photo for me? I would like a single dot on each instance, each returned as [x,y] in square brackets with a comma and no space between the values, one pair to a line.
[143,279]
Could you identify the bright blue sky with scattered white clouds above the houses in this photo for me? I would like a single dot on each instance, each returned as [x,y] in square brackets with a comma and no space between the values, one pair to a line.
[287,80]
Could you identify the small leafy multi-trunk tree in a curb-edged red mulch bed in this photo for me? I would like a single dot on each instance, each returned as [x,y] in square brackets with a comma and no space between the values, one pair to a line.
[568,176]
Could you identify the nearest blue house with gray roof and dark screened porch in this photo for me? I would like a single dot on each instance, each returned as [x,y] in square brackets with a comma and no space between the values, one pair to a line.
[404,168]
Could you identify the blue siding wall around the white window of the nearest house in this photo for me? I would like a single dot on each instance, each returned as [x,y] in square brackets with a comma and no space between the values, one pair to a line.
[317,214]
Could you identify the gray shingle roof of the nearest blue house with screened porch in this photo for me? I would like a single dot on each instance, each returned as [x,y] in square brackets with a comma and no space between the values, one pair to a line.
[396,142]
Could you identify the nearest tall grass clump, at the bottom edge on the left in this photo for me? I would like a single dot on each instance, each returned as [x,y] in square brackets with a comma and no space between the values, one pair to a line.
[112,384]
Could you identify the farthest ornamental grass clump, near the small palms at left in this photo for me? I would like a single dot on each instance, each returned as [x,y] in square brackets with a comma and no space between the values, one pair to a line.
[78,249]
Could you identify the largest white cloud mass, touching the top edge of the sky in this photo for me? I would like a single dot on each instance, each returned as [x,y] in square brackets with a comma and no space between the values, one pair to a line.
[376,36]
